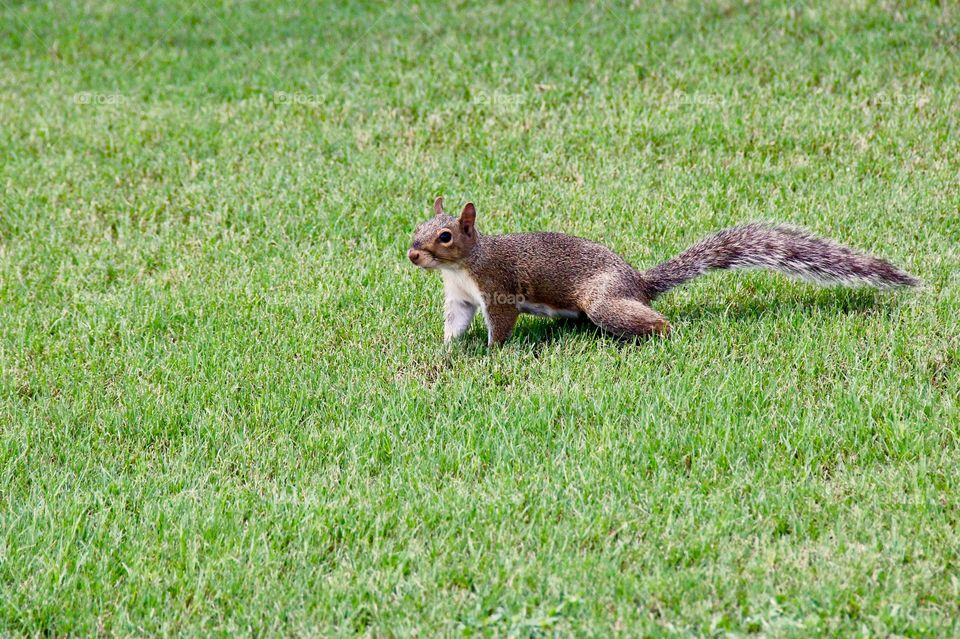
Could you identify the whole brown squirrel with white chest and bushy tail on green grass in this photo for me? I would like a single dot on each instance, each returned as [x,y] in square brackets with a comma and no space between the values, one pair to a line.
[557,275]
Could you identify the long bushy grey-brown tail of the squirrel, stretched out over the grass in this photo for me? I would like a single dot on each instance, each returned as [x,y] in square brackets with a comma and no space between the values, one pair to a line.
[780,248]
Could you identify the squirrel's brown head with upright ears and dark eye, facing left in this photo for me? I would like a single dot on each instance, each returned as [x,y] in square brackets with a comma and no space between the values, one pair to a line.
[444,240]
